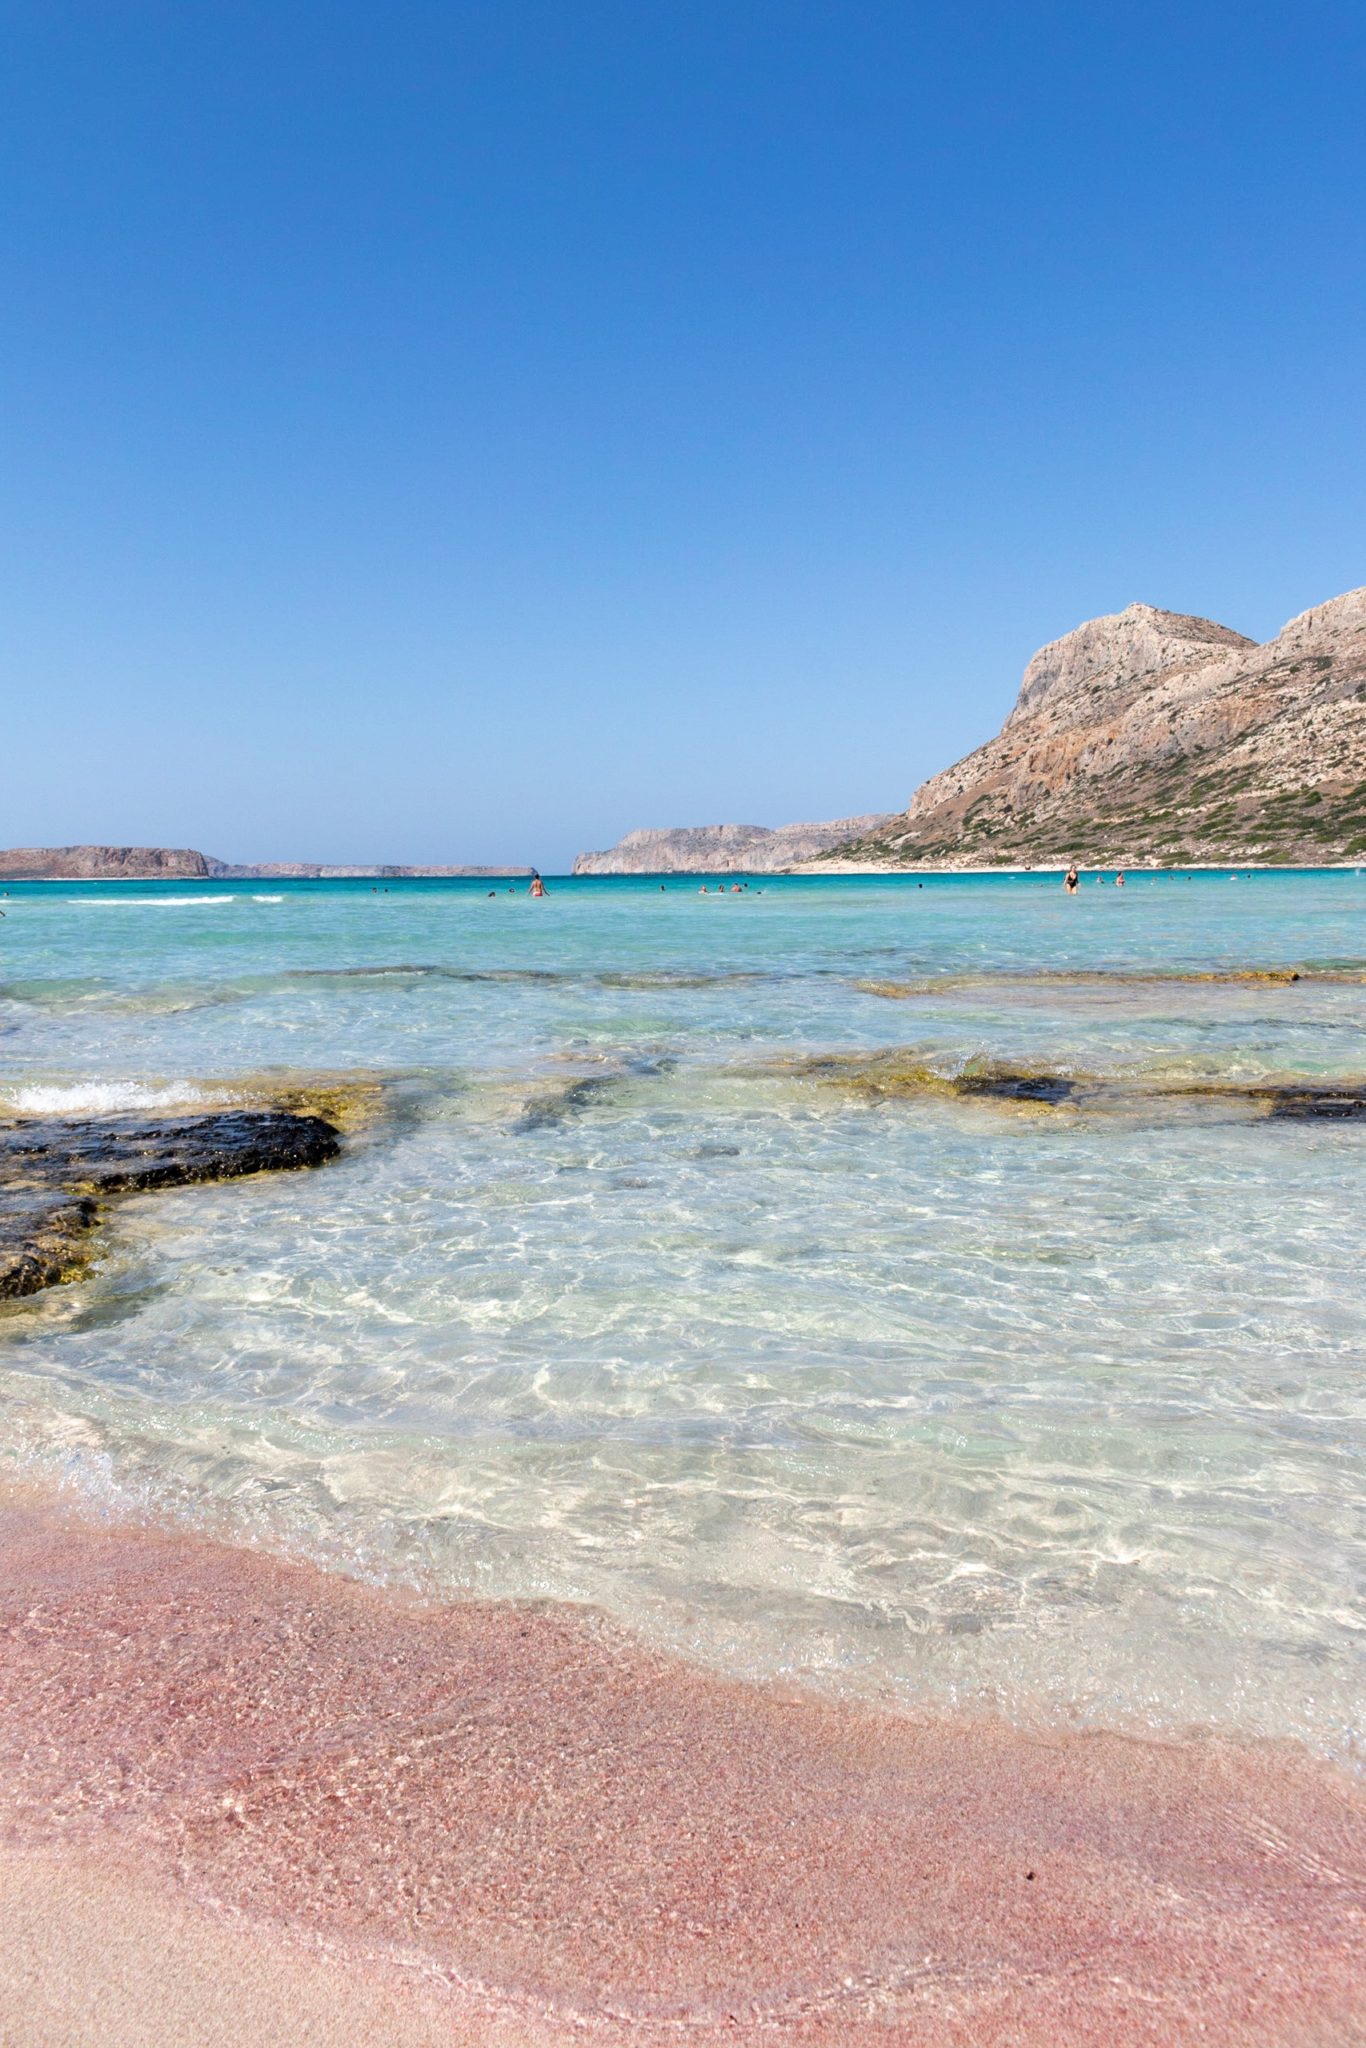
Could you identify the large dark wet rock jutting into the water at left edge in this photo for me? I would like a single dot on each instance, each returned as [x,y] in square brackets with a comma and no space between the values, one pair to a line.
[54,1172]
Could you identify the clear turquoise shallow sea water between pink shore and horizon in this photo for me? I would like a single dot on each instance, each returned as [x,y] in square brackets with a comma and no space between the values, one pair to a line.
[931,1400]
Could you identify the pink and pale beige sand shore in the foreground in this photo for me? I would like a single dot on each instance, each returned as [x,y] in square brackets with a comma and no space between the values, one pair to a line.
[243,1787]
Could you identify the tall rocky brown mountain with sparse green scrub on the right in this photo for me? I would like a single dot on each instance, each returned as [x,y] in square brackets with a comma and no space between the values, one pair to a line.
[1158,738]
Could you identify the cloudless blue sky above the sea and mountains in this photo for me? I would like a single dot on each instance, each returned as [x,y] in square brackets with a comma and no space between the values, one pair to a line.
[468,431]
